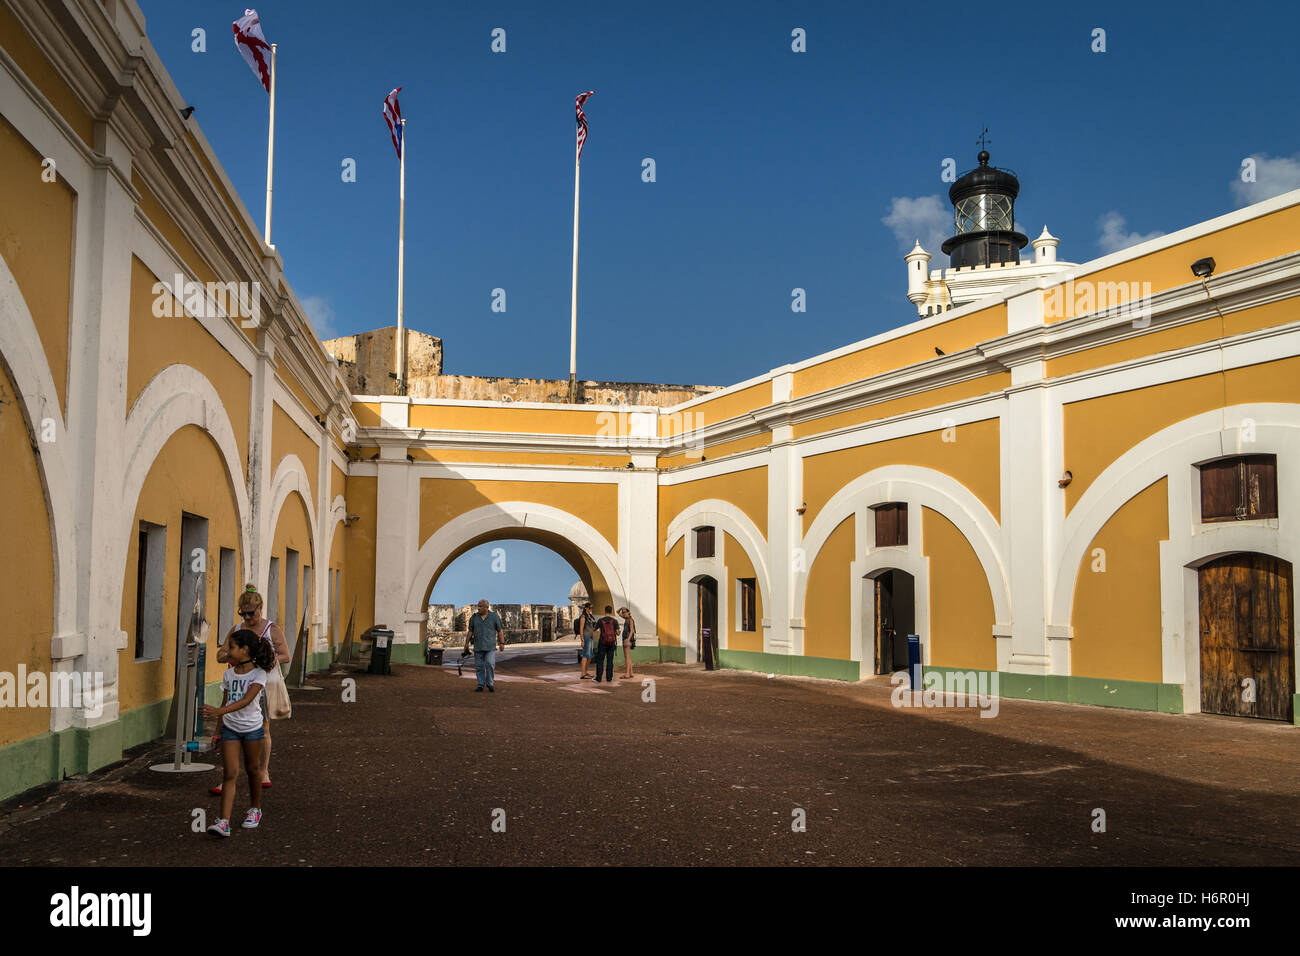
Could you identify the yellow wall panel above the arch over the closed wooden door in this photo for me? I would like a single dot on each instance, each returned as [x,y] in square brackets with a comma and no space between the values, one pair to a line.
[1100,430]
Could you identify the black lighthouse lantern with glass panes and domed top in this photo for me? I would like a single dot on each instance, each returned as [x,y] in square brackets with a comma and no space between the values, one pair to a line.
[985,214]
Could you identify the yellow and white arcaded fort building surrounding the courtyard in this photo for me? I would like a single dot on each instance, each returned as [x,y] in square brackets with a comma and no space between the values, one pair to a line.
[1043,501]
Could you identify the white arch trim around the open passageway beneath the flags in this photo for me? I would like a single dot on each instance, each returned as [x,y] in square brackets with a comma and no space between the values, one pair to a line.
[505,517]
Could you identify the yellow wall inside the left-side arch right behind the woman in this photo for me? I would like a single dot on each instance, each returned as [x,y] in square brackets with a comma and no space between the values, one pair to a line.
[189,475]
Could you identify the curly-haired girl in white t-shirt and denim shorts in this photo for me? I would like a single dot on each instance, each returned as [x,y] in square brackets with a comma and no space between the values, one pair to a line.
[241,723]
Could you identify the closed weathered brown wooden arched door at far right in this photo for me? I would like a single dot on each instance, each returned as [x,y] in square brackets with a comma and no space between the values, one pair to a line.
[1247,630]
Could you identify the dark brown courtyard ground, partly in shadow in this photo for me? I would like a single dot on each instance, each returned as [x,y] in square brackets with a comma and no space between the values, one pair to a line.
[714,771]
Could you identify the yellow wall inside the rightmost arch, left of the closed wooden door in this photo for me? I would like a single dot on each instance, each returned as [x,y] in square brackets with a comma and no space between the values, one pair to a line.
[1116,612]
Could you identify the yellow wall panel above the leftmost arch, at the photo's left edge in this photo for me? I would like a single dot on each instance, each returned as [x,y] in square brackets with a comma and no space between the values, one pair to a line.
[37,223]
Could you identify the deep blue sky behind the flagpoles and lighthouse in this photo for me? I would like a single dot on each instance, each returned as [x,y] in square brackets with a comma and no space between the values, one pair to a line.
[774,170]
